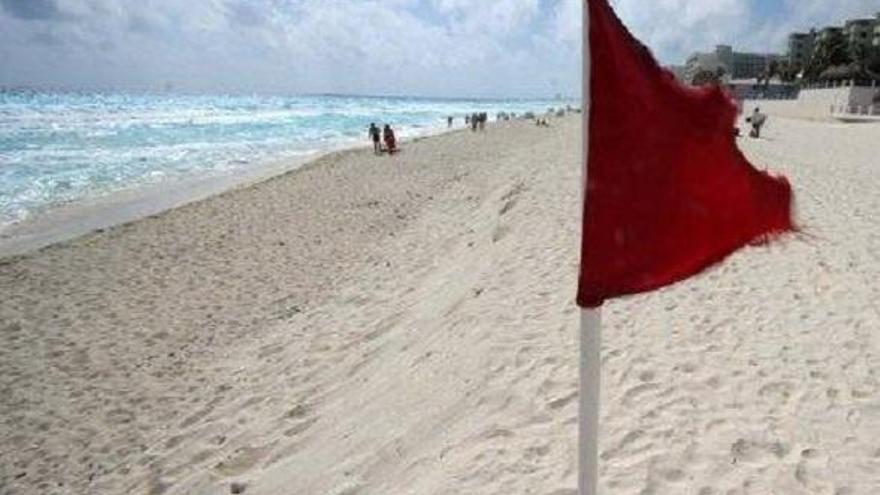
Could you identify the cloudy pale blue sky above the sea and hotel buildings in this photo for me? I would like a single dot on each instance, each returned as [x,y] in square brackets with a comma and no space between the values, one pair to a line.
[451,48]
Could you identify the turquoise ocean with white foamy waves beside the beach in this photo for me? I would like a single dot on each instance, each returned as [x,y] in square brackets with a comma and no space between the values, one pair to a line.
[62,148]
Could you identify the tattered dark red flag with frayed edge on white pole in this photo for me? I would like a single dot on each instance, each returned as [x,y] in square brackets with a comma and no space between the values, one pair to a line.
[668,193]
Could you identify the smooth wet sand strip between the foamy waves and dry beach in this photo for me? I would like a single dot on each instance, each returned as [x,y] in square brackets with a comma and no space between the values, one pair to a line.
[66,222]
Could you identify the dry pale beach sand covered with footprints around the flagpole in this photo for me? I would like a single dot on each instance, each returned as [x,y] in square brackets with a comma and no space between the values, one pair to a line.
[405,325]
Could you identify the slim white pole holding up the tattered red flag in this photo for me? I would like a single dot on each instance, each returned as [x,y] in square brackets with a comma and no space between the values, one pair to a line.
[591,319]
